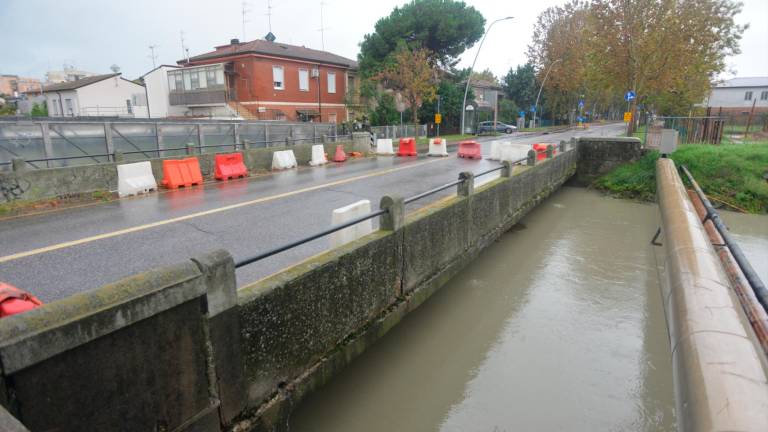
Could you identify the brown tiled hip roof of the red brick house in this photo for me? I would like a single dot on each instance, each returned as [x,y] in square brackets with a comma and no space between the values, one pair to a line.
[263,47]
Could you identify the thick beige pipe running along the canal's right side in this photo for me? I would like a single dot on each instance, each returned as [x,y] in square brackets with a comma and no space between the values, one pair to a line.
[719,371]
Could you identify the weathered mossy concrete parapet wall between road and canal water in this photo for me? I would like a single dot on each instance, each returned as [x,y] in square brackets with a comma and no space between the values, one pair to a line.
[180,349]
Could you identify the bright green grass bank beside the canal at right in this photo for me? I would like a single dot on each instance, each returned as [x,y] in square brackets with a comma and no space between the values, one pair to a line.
[731,175]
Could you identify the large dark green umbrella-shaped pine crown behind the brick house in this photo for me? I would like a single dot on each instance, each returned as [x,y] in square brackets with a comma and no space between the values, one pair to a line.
[445,28]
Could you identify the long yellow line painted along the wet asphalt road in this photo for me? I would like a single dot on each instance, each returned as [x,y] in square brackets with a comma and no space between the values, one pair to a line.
[204,213]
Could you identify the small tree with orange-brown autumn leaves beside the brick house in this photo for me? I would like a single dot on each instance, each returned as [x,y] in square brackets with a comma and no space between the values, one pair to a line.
[410,74]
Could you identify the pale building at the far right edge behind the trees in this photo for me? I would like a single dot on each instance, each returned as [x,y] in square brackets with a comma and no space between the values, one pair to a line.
[737,95]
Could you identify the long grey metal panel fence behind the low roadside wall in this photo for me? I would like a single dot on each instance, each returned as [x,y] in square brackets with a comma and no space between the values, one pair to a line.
[49,144]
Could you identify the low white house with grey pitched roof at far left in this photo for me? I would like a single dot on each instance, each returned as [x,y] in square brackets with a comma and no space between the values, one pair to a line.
[107,95]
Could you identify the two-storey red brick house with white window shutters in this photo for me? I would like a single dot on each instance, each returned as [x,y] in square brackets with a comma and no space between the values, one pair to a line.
[275,81]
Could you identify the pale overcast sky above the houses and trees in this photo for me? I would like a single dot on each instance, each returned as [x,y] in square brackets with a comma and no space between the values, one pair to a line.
[40,35]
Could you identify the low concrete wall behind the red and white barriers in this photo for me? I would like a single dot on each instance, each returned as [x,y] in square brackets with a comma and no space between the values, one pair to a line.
[30,184]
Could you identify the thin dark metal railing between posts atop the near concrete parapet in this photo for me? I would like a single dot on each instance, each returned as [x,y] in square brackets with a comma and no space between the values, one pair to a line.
[338,227]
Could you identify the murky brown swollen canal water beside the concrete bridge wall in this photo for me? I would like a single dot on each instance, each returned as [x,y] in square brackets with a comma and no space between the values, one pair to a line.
[557,326]
